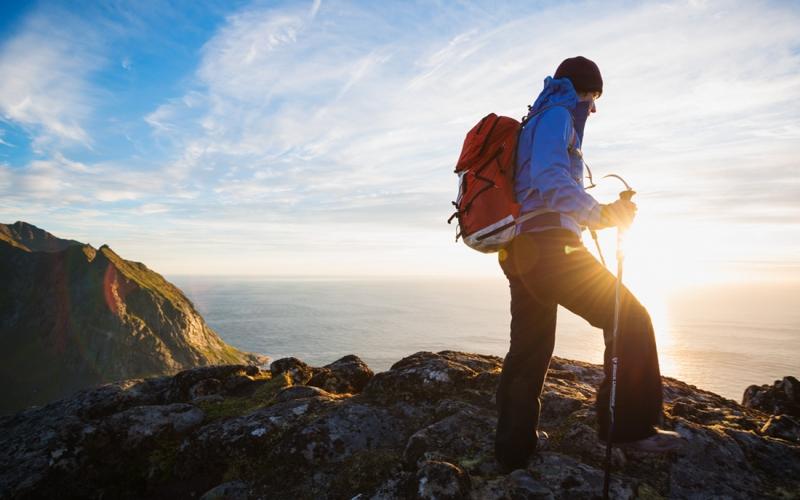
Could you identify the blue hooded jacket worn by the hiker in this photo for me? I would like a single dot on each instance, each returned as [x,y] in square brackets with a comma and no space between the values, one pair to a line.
[549,173]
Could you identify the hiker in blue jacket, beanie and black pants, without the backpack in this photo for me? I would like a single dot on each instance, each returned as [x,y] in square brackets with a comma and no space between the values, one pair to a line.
[547,265]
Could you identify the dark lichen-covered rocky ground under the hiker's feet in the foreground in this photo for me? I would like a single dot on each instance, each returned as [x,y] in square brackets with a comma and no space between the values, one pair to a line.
[422,429]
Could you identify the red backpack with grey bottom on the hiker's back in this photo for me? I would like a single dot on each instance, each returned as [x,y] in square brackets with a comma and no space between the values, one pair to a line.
[486,207]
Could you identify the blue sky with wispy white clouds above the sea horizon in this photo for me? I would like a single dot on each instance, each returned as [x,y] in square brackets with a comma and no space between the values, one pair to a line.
[318,138]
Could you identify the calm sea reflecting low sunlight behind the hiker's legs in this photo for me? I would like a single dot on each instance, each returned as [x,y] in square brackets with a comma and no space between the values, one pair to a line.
[720,338]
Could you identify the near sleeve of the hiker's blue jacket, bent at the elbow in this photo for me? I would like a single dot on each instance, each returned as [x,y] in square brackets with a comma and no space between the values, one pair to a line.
[550,166]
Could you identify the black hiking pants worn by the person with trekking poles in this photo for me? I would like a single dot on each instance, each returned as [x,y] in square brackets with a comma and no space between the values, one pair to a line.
[546,269]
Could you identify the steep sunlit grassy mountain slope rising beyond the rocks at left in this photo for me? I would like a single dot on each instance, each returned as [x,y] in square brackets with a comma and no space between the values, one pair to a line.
[72,316]
